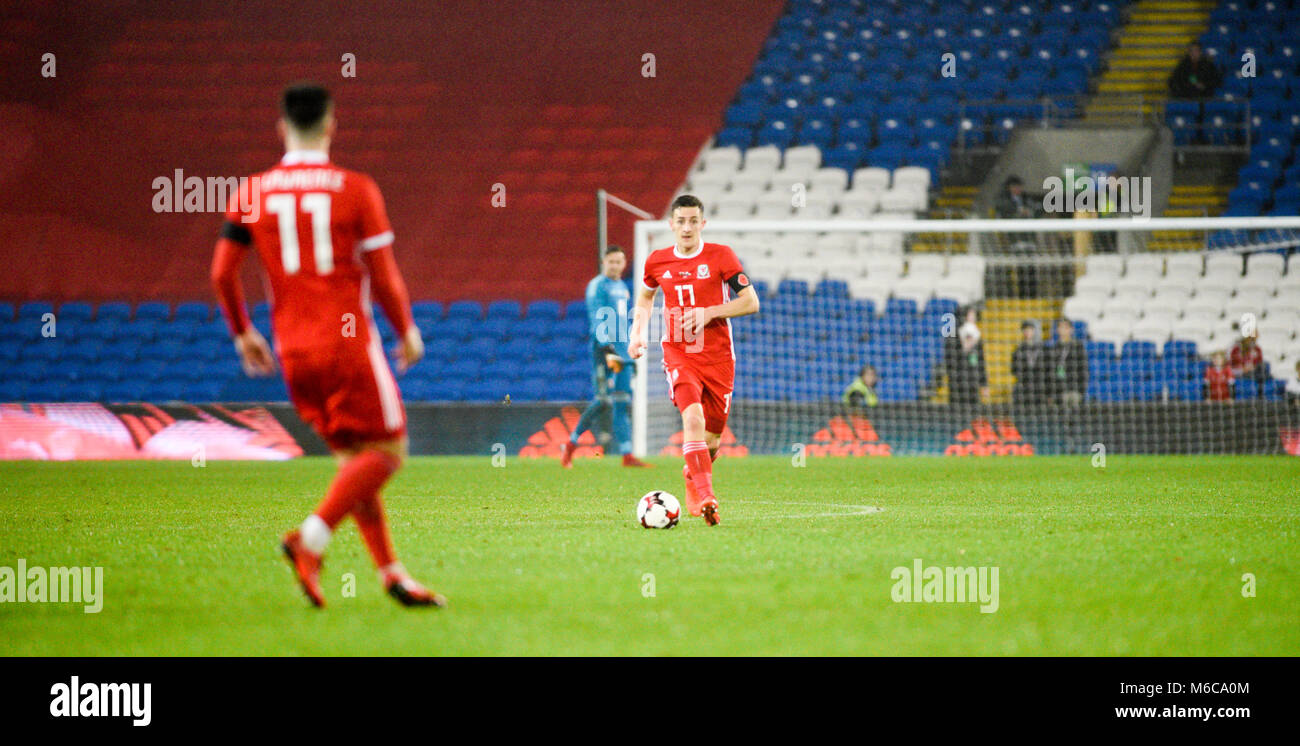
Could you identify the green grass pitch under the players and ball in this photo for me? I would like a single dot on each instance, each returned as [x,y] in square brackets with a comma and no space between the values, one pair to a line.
[1146,557]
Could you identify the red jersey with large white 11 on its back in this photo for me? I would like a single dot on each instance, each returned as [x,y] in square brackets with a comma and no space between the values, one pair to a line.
[310,223]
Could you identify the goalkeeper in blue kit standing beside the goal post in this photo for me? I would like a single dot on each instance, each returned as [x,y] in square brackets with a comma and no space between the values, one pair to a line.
[608,301]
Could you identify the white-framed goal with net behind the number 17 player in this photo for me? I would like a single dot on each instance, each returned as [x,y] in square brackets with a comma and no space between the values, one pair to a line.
[898,337]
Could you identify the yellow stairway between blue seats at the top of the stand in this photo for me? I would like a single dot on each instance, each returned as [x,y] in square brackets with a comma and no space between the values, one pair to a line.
[1151,44]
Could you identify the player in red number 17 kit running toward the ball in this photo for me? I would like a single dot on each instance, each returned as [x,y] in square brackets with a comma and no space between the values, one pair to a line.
[704,289]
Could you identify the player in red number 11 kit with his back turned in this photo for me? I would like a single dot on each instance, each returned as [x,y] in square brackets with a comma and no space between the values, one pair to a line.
[326,245]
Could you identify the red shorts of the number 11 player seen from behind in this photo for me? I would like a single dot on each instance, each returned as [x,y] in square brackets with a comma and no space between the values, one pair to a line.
[348,393]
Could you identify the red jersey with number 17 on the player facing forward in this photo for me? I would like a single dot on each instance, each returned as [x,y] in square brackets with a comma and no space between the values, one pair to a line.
[695,281]
